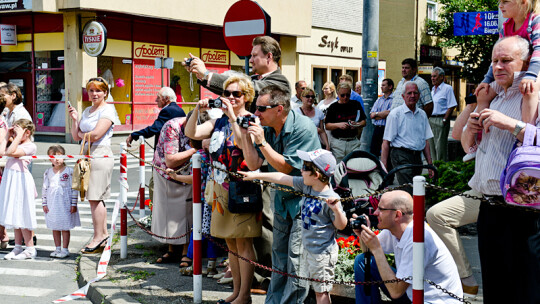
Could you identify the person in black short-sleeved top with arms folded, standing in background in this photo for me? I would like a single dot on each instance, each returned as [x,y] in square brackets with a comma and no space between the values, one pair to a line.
[345,120]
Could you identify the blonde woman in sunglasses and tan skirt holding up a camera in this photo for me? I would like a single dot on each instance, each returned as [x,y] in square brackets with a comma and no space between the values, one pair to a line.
[237,229]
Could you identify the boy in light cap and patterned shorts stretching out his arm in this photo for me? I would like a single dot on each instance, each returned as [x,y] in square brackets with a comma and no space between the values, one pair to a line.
[321,217]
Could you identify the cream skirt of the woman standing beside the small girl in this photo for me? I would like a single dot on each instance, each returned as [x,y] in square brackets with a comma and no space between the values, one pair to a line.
[99,186]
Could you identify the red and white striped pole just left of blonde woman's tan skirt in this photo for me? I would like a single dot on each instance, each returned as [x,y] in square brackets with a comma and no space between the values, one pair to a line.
[197,229]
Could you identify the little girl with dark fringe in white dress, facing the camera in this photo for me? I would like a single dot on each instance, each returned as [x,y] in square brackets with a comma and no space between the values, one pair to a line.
[59,202]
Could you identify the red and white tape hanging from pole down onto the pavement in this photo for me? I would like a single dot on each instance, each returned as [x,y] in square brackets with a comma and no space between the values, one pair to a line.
[102,265]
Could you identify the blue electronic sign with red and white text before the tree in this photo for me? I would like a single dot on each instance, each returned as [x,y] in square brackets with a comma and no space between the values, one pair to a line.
[476,23]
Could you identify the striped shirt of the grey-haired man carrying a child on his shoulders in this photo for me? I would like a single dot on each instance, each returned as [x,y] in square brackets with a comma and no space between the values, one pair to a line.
[496,146]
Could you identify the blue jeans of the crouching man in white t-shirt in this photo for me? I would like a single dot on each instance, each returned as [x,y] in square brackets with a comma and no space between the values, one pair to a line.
[359,276]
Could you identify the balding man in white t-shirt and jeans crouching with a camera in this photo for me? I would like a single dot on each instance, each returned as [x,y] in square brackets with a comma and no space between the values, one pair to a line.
[395,216]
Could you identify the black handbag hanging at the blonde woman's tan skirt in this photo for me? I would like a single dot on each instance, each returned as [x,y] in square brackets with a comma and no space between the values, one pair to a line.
[244,197]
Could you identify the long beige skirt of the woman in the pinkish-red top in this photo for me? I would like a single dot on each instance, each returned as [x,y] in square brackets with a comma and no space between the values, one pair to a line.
[172,211]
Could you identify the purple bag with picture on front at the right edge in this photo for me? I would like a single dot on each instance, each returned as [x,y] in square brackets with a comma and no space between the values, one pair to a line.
[520,180]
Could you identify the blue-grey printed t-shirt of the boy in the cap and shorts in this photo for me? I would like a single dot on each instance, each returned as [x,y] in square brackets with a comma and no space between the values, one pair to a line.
[318,231]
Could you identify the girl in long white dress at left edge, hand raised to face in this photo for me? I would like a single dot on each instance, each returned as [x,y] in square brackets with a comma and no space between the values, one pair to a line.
[18,191]
